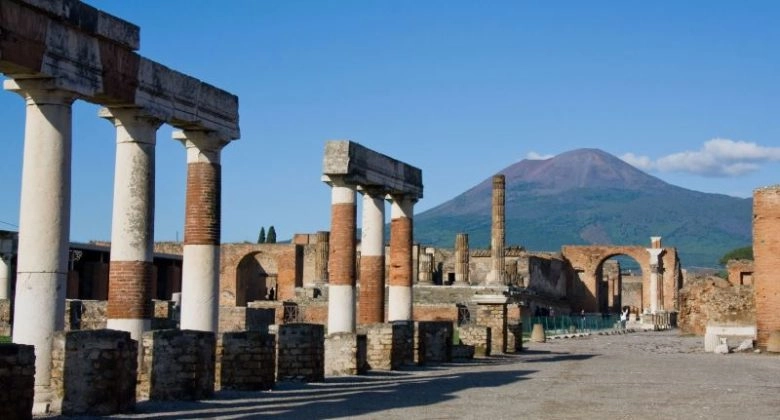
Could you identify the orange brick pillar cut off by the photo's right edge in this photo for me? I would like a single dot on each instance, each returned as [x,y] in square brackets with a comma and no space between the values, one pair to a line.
[766,257]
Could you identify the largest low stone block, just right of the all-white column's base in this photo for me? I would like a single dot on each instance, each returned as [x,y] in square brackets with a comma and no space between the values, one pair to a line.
[94,372]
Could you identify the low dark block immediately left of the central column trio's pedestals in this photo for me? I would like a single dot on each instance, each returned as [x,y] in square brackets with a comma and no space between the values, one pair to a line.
[301,354]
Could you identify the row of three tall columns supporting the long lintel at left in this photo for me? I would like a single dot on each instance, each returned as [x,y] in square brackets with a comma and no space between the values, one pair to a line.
[44,222]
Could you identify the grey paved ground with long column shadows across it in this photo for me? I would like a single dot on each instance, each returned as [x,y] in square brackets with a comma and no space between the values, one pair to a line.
[643,375]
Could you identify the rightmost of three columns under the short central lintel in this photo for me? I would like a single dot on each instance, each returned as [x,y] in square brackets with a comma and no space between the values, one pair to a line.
[400,290]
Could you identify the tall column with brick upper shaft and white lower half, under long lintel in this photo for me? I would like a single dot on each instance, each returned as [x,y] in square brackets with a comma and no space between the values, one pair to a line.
[200,268]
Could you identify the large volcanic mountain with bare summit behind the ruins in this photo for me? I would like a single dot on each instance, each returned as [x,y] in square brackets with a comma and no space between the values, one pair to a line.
[588,196]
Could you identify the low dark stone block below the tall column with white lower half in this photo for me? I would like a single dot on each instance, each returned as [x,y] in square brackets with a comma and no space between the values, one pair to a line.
[177,365]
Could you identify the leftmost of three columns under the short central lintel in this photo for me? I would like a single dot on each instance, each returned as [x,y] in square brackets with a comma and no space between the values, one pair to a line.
[341,261]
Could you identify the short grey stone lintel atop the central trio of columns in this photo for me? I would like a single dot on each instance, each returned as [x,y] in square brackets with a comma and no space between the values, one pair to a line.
[355,164]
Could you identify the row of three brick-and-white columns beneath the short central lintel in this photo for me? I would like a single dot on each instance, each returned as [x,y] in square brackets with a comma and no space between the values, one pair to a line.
[342,255]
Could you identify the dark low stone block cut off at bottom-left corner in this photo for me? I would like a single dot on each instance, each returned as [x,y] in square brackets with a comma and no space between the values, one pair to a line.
[17,381]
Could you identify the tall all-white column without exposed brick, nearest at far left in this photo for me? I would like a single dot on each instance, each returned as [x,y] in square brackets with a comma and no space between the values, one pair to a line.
[44,222]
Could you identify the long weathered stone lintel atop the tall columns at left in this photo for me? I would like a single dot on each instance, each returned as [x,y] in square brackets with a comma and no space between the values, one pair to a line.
[91,59]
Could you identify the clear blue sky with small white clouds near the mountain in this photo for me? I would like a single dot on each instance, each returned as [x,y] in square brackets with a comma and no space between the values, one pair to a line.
[685,90]
